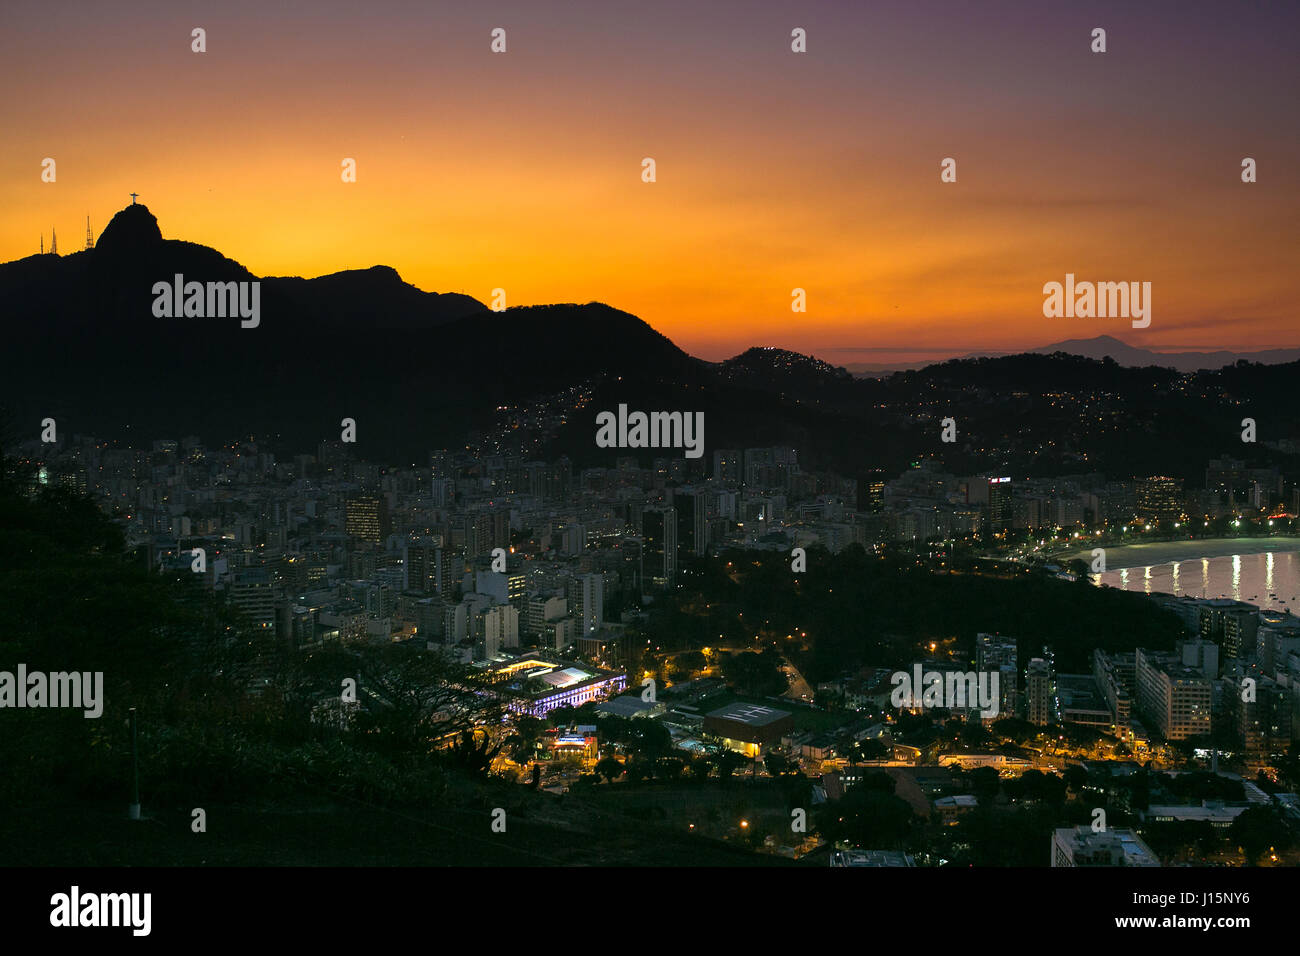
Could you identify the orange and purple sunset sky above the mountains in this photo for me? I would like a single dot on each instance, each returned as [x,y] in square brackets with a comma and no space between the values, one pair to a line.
[775,170]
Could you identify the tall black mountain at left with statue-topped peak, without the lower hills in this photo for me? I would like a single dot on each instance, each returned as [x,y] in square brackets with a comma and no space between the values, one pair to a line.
[419,369]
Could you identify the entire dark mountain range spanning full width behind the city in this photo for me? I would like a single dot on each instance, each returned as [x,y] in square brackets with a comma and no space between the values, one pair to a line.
[422,371]
